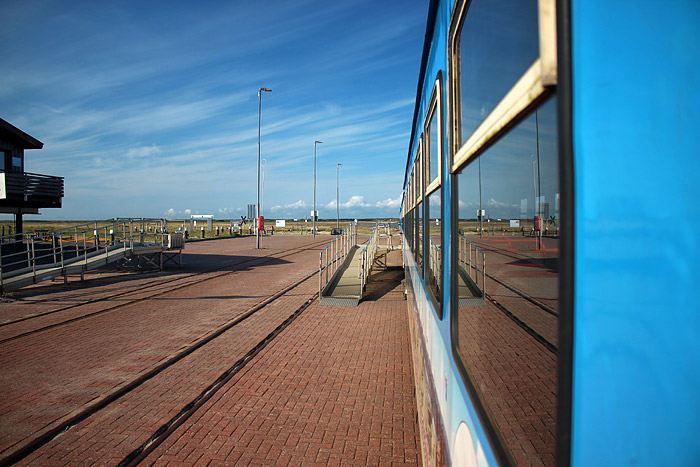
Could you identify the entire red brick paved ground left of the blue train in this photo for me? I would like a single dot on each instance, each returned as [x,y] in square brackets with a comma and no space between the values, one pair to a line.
[334,387]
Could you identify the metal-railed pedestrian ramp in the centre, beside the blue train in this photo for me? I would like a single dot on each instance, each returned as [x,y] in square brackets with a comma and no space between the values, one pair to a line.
[345,266]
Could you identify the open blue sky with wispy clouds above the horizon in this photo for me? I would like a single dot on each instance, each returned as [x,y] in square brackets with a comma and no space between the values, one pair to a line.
[150,109]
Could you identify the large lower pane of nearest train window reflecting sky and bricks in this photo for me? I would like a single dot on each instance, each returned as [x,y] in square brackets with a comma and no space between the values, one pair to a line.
[508,342]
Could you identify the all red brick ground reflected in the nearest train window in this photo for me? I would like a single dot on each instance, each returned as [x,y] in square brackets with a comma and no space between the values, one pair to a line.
[515,374]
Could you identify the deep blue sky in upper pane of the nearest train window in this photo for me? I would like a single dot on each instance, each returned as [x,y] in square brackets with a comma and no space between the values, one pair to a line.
[499,42]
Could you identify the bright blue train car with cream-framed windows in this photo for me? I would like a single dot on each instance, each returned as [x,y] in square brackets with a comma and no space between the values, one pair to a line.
[551,233]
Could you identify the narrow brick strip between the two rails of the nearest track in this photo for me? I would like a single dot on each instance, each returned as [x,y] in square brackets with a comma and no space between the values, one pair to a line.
[106,436]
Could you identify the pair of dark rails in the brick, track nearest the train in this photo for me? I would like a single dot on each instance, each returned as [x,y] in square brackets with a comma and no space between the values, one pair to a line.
[95,406]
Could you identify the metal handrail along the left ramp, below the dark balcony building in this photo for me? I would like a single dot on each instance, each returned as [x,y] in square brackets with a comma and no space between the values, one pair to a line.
[36,251]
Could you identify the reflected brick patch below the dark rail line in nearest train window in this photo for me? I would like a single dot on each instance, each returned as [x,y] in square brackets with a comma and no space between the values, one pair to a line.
[516,377]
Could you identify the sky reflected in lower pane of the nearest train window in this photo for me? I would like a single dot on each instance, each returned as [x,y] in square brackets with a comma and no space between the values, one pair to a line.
[509,168]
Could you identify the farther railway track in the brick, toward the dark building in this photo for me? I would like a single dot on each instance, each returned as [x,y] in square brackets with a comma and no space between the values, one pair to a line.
[171,285]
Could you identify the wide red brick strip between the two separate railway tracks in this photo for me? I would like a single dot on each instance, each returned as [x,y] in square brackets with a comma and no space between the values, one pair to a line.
[52,374]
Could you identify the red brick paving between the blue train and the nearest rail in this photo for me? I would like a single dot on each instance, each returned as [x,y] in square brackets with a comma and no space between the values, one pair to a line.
[335,389]
